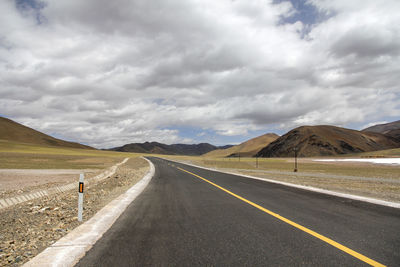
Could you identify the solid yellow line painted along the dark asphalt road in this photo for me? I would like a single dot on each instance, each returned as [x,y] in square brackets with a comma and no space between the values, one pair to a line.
[298,226]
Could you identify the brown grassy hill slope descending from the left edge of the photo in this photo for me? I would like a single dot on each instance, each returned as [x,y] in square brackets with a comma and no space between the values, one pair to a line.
[13,131]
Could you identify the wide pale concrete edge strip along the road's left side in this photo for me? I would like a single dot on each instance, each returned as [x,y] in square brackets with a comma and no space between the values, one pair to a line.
[71,248]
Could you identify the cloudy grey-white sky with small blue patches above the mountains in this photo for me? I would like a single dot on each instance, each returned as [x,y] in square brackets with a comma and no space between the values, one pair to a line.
[107,73]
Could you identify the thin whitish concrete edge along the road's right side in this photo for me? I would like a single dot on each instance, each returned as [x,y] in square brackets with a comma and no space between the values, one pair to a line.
[309,188]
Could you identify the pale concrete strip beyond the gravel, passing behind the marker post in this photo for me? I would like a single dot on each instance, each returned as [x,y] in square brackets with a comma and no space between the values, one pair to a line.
[7,202]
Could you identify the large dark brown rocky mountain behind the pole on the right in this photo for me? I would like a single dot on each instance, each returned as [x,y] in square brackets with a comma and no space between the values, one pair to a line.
[326,140]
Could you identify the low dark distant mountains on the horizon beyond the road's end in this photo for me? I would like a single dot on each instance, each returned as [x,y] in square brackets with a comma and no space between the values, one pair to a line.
[175,149]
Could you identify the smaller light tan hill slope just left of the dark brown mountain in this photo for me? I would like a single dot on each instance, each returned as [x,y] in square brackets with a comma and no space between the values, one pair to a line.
[245,149]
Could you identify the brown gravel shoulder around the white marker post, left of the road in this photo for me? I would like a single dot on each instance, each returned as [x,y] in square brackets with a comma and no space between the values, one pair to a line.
[28,228]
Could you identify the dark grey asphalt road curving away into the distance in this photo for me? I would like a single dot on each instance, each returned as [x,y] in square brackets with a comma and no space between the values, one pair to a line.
[183,220]
